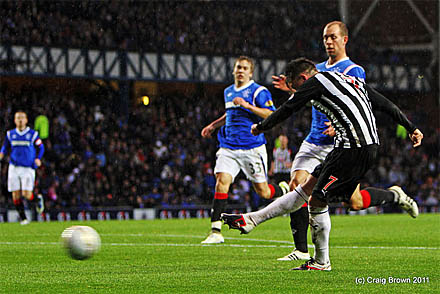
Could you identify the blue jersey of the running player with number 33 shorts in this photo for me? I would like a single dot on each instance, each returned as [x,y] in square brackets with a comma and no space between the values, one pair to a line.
[236,133]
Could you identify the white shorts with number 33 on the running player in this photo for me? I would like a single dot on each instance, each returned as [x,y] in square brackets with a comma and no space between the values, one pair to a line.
[252,162]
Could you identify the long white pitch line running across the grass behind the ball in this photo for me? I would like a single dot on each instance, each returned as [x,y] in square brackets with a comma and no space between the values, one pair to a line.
[222,245]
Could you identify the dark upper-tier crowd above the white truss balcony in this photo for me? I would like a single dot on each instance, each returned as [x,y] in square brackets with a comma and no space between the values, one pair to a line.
[208,27]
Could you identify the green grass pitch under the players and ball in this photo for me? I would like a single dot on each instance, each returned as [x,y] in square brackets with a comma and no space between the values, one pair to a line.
[165,256]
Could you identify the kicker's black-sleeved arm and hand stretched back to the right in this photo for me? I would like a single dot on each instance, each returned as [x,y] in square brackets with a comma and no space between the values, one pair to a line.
[381,103]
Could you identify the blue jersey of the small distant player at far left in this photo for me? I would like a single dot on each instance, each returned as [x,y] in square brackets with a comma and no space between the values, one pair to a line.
[22,145]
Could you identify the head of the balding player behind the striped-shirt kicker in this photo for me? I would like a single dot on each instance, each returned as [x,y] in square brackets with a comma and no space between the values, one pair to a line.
[335,37]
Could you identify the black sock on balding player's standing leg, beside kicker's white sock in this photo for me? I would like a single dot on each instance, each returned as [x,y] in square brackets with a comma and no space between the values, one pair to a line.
[299,223]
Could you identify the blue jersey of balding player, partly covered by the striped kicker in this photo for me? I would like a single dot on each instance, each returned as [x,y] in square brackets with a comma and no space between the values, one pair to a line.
[345,66]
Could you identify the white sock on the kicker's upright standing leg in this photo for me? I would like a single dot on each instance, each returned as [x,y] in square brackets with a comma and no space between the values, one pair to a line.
[320,226]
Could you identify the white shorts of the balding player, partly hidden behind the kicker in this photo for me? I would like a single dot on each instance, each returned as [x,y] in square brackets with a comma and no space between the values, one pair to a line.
[309,156]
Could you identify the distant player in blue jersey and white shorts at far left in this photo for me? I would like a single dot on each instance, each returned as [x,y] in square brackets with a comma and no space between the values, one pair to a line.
[22,141]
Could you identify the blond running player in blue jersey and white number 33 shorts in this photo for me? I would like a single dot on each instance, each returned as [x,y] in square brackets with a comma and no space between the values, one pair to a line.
[246,103]
